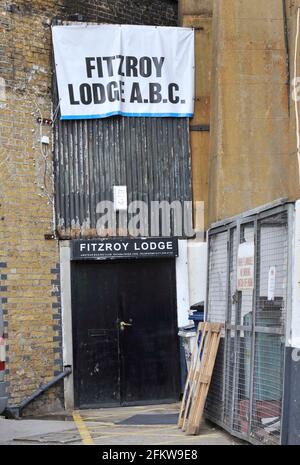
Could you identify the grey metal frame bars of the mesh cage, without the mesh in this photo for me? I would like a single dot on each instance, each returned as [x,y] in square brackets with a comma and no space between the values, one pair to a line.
[227,226]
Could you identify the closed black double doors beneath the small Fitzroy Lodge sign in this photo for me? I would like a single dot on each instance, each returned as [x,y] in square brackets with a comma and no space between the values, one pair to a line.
[124,332]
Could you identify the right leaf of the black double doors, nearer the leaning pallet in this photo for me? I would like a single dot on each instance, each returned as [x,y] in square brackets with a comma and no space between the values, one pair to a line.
[149,360]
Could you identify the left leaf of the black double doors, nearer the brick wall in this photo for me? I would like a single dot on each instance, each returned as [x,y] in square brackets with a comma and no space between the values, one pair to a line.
[95,334]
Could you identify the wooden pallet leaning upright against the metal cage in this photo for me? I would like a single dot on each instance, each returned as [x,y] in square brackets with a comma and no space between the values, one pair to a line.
[199,377]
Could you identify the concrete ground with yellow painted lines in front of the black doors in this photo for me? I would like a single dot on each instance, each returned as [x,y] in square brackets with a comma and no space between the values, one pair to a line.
[148,425]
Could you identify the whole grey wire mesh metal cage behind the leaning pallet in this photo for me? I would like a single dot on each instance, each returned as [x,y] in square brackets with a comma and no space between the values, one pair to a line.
[246,392]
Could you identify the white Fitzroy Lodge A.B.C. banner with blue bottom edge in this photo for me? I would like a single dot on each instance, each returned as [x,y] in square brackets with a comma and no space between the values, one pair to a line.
[124,70]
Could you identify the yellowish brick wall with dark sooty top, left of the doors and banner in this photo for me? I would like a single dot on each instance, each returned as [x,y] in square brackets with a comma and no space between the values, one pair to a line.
[29,264]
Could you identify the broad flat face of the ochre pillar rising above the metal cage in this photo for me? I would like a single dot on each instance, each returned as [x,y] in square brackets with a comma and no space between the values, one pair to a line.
[250,157]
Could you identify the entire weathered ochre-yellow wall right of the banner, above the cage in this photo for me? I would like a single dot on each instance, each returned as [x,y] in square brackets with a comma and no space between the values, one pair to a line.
[244,94]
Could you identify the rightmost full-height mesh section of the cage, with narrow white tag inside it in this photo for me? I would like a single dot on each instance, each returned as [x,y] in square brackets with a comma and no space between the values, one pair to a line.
[270,316]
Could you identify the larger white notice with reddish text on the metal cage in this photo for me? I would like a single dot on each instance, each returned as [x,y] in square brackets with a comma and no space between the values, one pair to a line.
[245,266]
